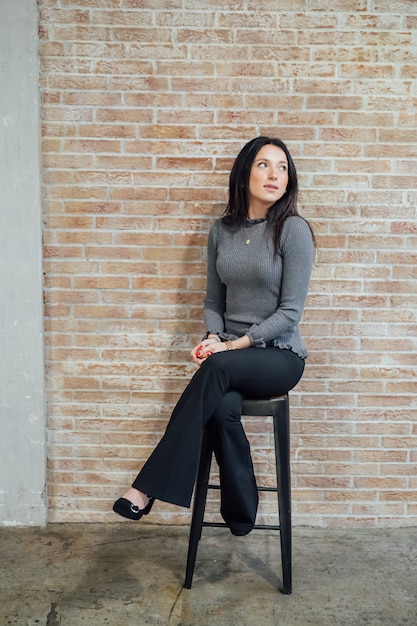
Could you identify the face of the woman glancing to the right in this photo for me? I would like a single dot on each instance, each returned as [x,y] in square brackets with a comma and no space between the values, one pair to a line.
[268,179]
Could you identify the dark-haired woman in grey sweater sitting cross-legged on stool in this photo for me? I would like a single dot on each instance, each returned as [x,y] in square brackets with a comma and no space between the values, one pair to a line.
[260,255]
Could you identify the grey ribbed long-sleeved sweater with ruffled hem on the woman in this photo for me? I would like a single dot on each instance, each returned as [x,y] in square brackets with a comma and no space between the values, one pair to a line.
[250,291]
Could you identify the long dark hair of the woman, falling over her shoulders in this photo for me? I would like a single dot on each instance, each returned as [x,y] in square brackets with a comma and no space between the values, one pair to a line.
[238,204]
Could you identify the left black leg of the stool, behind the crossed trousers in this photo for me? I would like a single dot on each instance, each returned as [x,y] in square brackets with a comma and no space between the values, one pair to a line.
[199,506]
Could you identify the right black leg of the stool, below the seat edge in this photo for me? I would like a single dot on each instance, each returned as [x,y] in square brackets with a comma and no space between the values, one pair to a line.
[282,456]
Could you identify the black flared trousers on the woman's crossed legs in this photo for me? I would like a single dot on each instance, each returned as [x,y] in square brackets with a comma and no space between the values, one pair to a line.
[213,398]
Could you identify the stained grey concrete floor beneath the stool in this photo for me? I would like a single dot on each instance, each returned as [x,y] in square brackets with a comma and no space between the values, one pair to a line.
[129,574]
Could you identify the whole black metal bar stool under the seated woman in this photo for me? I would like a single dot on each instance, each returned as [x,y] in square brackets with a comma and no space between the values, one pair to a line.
[278,408]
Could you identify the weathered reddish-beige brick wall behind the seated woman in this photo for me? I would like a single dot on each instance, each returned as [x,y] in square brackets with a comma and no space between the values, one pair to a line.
[145,103]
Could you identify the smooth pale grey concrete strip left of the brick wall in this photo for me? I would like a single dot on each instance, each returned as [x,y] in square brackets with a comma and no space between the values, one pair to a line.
[22,425]
